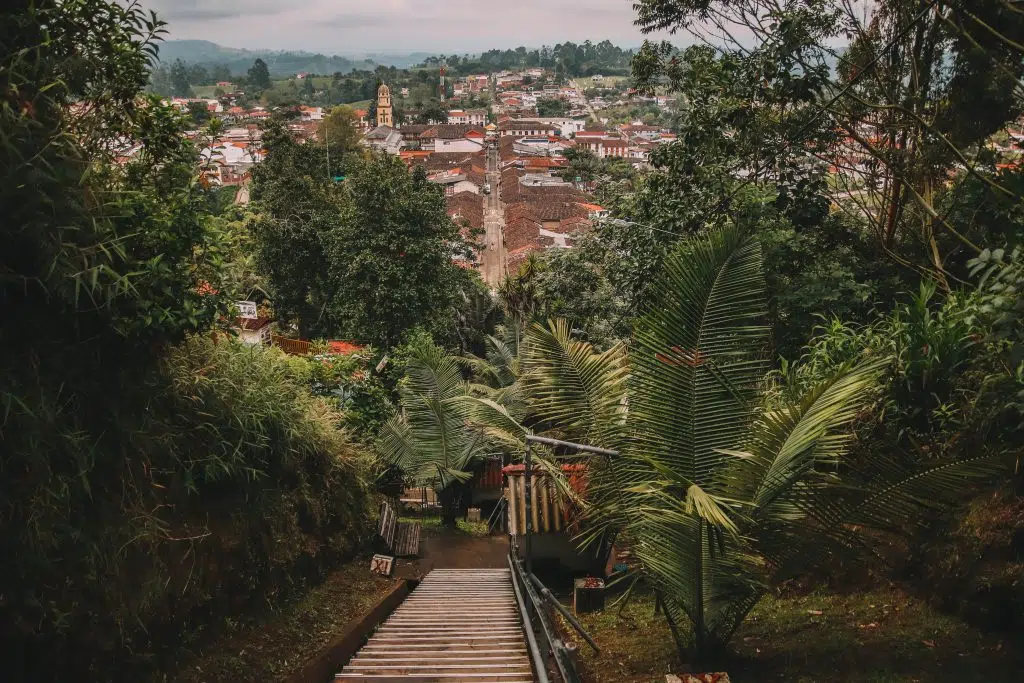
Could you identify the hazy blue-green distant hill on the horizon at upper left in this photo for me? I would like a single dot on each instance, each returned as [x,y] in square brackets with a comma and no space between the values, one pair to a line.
[281,64]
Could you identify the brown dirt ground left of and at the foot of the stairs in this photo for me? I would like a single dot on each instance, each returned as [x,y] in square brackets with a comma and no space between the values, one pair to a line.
[276,645]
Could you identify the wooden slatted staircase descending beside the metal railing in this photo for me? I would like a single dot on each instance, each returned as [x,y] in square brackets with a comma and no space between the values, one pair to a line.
[458,626]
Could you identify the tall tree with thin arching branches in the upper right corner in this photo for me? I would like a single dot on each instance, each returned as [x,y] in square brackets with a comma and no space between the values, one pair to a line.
[908,107]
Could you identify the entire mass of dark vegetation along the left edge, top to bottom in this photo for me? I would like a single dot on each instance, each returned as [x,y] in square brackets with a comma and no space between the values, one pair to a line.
[156,475]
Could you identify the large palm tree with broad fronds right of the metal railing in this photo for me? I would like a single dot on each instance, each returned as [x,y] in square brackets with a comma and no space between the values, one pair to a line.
[720,494]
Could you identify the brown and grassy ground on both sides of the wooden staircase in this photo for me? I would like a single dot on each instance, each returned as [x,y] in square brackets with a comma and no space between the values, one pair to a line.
[881,635]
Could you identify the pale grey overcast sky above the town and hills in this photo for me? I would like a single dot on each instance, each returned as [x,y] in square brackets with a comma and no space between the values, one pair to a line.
[400,26]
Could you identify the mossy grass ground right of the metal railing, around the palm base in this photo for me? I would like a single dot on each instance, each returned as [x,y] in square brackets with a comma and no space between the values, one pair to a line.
[880,636]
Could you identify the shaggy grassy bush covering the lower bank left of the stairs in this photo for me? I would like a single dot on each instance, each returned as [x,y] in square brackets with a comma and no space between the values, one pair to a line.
[217,483]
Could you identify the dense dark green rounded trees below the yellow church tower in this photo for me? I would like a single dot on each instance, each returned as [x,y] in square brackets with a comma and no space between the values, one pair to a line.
[363,250]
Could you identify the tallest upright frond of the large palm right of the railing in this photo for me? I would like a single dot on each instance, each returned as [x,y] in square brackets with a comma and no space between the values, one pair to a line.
[701,354]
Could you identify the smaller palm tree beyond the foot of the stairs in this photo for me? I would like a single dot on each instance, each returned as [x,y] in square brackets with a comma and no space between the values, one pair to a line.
[443,430]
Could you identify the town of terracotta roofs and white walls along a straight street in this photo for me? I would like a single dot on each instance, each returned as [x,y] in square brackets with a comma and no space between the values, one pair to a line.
[505,169]
